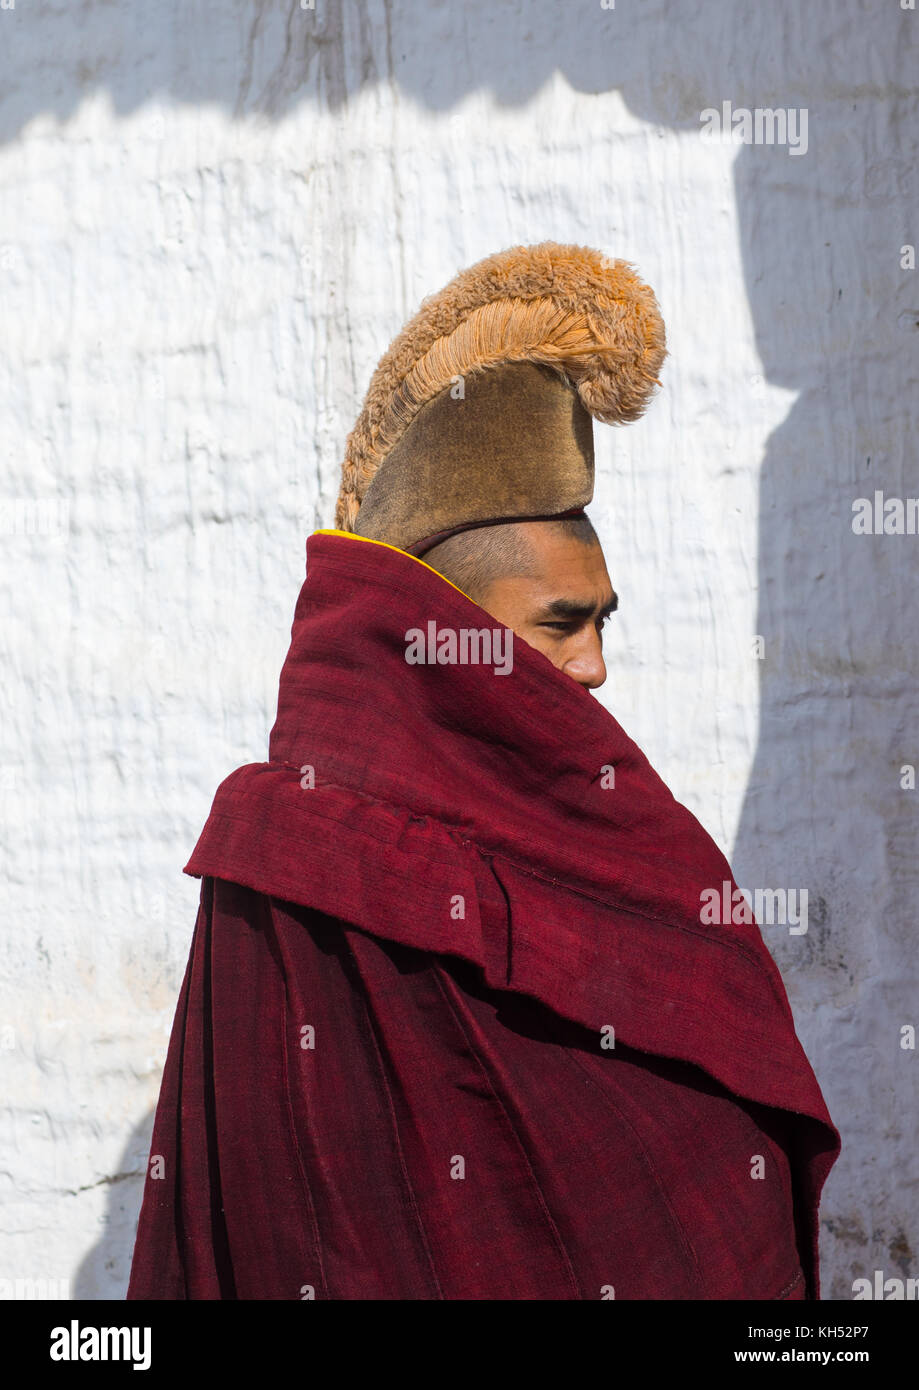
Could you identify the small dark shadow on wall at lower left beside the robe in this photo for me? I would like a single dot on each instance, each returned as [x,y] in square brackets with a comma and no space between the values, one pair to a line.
[106,1268]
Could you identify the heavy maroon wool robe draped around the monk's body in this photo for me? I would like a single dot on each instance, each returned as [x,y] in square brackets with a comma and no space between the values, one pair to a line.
[387,1075]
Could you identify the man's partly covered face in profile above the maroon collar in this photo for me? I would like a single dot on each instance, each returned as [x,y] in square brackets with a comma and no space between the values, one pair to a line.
[561,607]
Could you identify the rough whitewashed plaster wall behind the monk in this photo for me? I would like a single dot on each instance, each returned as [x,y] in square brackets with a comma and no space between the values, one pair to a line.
[213,219]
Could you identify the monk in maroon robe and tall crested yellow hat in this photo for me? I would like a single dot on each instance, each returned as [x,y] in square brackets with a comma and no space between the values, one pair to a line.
[453,1024]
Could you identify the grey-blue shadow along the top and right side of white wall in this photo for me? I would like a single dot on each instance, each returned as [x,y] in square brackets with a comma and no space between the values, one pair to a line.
[835,319]
